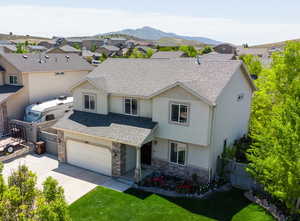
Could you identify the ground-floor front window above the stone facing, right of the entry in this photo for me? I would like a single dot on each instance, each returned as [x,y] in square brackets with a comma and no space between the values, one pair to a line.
[178,153]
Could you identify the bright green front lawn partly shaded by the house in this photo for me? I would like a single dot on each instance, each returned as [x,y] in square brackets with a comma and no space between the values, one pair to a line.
[135,205]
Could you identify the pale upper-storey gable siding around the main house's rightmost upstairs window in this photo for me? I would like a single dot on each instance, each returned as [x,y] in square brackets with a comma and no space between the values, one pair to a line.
[197,130]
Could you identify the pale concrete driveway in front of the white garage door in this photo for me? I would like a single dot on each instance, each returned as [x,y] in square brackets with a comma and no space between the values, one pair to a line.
[75,181]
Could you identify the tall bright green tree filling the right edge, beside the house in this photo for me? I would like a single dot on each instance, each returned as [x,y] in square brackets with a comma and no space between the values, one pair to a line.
[275,127]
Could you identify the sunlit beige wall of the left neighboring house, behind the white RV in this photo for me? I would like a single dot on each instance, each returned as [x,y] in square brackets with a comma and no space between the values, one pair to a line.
[45,86]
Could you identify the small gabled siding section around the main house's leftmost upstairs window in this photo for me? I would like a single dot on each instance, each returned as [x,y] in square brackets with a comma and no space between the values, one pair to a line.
[87,88]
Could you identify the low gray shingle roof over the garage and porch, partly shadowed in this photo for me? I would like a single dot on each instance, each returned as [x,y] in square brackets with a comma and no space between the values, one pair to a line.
[122,128]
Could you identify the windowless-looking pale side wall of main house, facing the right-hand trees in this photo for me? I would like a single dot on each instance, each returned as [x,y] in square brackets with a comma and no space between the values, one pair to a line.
[231,116]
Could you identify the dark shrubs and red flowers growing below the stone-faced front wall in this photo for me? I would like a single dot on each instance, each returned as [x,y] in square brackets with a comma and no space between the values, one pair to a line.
[179,185]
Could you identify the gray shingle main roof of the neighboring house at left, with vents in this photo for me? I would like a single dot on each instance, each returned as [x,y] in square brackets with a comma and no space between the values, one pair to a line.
[54,62]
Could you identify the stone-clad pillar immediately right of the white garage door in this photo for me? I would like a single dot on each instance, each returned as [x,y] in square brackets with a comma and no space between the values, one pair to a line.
[118,159]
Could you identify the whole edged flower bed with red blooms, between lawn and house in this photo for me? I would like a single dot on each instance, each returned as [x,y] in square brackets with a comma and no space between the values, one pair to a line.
[175,186]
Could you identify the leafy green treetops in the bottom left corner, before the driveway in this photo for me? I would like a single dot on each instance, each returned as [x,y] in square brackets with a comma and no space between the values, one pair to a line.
[21,200]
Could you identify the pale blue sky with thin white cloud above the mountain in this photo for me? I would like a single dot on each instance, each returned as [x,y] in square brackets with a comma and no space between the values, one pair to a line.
[233,21]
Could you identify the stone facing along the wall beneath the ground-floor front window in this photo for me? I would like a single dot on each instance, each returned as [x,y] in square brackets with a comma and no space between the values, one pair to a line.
[179,170]
